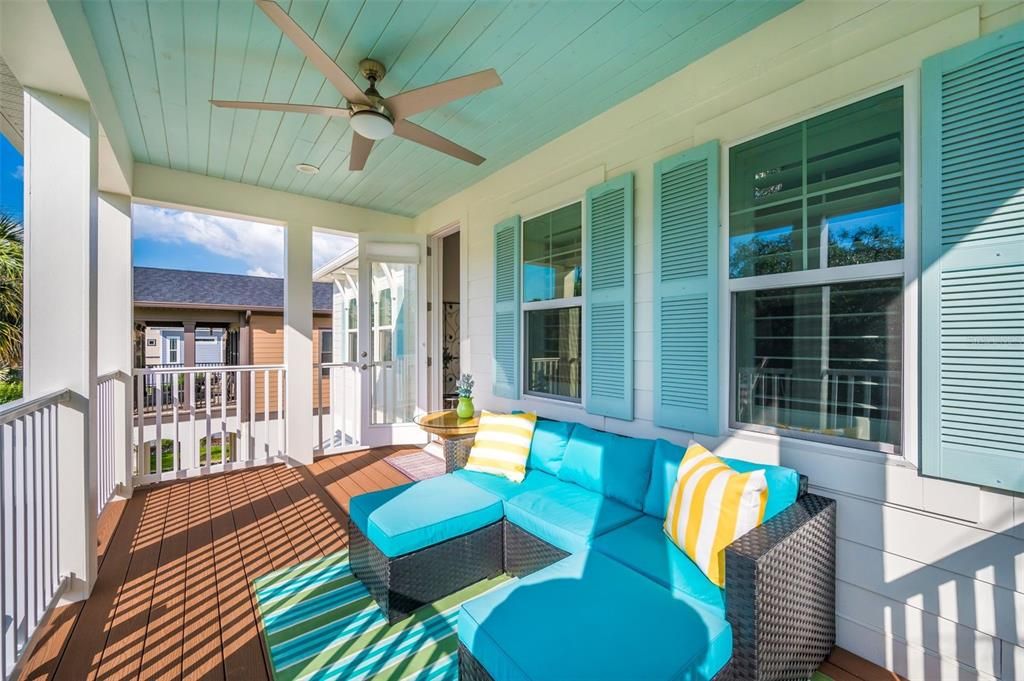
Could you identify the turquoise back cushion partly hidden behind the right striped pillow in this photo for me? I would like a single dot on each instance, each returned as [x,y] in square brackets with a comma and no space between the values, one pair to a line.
[784,484]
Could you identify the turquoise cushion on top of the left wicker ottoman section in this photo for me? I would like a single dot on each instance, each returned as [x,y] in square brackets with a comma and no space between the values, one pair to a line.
[414,517]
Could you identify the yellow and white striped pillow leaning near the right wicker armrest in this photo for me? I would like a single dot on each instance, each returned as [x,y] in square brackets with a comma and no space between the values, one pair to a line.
[712,506]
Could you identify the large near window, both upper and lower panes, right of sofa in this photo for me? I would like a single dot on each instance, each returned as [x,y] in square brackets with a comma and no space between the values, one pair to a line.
[817,275]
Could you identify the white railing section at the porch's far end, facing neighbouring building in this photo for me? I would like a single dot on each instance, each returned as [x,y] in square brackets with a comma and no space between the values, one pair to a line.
[209,420]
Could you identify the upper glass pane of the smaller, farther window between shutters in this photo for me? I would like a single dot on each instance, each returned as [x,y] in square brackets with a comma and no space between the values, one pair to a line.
[552,256]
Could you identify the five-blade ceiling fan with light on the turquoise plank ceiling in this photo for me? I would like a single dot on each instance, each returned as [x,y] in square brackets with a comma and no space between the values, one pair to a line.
[372,116]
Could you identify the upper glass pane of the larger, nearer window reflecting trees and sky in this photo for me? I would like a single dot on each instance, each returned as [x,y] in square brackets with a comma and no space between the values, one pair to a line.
[836,179]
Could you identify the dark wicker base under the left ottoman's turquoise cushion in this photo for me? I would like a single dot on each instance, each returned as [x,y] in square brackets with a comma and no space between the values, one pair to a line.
[403,585]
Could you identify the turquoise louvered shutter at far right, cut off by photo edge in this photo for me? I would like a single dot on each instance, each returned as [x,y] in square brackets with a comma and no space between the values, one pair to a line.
[972,335]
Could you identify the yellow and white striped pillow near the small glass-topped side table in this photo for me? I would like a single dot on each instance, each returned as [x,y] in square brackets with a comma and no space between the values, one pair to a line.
[502,445]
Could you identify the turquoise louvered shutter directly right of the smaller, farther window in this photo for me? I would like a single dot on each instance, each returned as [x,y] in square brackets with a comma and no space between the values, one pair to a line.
[609,284]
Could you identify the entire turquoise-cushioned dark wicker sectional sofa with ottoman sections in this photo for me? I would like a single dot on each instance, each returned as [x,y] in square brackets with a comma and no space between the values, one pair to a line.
[602,592]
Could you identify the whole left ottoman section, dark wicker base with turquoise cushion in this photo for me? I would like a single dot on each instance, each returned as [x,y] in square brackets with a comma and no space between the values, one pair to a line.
[414,544]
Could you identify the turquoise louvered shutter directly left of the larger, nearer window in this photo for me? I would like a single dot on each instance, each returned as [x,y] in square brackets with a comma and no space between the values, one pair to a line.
[687,382]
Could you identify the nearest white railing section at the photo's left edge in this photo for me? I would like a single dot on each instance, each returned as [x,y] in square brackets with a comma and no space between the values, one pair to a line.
[31,583]
